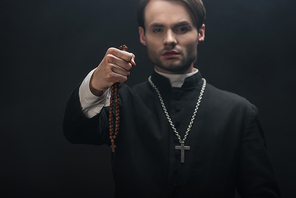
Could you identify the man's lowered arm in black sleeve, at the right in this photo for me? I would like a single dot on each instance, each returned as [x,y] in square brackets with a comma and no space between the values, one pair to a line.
[255,176]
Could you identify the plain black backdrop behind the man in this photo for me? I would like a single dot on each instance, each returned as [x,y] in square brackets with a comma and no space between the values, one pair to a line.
[48,47]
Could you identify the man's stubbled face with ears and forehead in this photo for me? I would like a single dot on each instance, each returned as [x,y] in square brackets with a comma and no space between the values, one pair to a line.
[170,36]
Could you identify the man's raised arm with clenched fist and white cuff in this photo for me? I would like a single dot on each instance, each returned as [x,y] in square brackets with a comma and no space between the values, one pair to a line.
[84,122]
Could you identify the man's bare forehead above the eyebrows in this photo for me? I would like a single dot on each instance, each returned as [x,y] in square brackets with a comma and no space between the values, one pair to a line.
[166,12]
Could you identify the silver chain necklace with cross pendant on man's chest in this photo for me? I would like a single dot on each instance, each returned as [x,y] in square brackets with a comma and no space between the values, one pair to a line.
[181,141]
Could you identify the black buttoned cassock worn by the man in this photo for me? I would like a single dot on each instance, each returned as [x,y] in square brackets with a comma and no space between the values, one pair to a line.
[227,144]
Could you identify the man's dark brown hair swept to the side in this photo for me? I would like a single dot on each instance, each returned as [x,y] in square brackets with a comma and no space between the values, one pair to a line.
[196,8]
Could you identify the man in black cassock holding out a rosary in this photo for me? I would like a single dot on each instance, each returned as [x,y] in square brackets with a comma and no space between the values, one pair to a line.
[179,136]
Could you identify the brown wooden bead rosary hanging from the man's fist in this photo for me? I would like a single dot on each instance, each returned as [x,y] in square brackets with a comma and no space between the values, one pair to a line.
[114,110]
